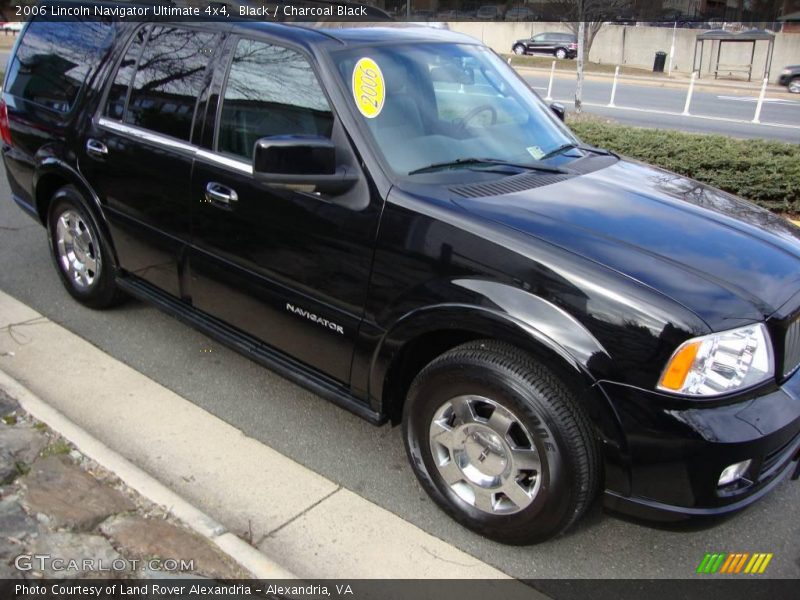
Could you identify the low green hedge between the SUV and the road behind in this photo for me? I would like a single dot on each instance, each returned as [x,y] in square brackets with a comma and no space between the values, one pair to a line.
[767,173]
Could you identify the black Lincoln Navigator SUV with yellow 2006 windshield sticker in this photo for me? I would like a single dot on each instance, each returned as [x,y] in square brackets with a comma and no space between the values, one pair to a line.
[392,218]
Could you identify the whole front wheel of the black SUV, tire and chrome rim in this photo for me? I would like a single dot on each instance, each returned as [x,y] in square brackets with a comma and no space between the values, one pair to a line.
[533,481]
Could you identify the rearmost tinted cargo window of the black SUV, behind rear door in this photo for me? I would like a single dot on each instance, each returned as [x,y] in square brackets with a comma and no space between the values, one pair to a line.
[54,60]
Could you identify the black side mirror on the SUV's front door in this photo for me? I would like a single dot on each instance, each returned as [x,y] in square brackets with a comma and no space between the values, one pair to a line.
[301,160]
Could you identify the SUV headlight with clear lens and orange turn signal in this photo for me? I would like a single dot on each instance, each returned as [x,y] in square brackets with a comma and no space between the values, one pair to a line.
[720,363]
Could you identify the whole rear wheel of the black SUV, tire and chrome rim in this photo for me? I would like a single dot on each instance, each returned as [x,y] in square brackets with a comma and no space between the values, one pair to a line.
[81,255]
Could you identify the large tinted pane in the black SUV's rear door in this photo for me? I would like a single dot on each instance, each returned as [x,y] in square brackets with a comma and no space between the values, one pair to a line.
[169,78]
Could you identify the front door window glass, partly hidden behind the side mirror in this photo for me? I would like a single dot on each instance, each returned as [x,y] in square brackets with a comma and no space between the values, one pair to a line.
[270,91]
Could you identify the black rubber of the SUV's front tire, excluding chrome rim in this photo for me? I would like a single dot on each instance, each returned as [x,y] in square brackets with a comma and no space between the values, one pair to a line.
[561,432]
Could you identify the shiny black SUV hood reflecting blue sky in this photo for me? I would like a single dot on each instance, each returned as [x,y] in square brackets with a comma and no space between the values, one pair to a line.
[722,257]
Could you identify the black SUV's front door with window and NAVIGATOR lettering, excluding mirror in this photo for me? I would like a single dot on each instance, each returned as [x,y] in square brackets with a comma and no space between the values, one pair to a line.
[284,265]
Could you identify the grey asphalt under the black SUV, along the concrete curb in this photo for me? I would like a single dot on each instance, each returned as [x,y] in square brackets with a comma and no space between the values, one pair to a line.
[368,460]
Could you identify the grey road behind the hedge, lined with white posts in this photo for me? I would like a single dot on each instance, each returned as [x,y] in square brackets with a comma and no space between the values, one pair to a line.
[778,109]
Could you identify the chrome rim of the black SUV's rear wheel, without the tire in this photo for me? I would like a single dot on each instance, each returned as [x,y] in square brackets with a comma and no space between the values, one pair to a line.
[78,252]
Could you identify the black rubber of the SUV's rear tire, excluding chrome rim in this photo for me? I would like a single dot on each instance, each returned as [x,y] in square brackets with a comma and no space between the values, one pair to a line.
[101,291]
